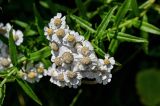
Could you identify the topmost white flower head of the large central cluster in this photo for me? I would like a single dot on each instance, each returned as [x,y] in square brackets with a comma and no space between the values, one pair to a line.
[58,21]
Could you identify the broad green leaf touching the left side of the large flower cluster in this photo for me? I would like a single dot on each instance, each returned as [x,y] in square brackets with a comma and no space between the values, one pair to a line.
[38,55]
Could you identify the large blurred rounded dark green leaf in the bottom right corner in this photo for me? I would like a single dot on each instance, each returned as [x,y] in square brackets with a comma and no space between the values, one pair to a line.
[148,84]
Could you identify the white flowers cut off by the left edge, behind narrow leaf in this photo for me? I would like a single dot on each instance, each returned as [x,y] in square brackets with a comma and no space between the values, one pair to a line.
[5,60]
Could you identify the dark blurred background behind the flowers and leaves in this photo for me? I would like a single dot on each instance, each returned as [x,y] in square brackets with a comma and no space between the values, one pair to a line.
[136,83]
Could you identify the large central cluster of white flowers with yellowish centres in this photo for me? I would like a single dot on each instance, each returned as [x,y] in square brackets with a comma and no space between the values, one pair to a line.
[73,57]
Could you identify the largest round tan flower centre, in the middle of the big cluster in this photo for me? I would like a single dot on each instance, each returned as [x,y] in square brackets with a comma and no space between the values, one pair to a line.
[67,57]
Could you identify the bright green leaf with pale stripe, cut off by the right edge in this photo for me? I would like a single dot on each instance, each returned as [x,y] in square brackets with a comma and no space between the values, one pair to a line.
[144,26]
